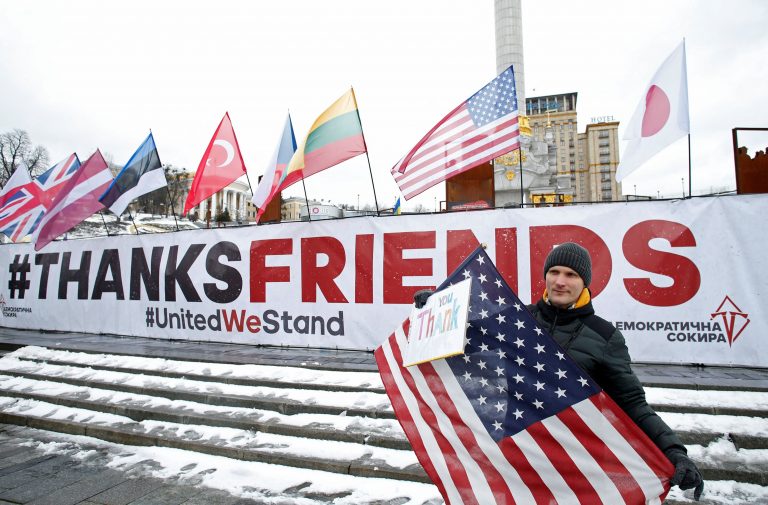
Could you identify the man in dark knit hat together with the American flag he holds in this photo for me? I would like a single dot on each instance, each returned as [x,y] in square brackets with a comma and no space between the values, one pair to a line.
[525,417]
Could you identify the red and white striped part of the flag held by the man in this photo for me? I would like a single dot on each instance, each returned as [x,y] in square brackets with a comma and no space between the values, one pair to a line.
[585,454]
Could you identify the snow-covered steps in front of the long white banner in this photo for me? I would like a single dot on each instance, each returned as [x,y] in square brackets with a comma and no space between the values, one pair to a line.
[348,424]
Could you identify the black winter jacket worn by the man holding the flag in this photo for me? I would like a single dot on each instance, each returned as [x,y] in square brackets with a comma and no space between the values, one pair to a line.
[599,348]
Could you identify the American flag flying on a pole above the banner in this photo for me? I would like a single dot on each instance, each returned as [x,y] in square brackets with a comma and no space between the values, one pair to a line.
[480,129]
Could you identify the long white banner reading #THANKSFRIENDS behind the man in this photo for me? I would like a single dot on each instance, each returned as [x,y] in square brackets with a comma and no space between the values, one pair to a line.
[682,280]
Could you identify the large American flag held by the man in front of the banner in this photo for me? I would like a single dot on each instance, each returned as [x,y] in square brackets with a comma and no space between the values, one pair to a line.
[514,419]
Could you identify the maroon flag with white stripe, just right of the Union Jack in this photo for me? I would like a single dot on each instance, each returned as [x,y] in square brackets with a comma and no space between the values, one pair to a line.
[76,201]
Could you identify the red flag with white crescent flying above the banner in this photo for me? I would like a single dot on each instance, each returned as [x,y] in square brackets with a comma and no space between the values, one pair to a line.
[222,163]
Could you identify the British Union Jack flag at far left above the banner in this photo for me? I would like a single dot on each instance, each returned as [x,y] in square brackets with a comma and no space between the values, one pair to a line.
[26,203]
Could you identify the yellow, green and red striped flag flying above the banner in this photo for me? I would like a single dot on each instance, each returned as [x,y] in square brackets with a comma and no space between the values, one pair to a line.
[335,136]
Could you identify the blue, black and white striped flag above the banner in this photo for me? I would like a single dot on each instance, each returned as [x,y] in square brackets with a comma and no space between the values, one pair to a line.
[141,175]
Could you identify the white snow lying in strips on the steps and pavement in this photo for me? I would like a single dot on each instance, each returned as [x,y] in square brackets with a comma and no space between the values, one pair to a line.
[246,478]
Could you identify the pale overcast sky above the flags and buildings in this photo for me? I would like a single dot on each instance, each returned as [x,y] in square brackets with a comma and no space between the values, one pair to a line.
[78,75]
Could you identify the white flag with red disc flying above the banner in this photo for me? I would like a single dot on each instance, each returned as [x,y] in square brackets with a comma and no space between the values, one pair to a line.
[661,116]
